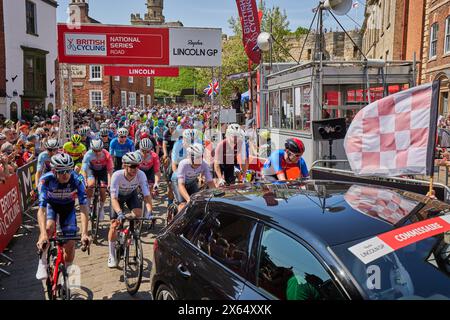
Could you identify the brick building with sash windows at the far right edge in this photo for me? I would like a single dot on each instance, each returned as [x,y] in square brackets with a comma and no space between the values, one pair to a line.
[436,48]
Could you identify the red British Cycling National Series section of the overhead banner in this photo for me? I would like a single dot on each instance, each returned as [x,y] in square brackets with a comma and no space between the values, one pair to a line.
[113,45]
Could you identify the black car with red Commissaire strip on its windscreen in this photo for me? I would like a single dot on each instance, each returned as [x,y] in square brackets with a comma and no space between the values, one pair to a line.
[316,240]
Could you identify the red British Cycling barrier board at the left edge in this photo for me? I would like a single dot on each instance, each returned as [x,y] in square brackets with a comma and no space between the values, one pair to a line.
[10,210]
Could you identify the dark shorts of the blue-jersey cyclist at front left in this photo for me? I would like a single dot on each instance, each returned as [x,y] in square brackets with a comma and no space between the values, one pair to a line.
[67,217]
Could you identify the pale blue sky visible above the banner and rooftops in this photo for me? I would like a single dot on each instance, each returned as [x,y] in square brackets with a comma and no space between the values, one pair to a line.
[214,14]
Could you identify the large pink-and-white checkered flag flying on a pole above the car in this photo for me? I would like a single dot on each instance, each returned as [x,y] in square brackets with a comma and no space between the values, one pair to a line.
[395,135]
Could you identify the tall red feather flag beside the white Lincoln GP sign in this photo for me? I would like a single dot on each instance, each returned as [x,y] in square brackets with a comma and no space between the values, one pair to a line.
[248,13]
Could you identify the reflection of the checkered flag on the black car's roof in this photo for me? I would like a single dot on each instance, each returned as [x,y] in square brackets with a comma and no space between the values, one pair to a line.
[379,203]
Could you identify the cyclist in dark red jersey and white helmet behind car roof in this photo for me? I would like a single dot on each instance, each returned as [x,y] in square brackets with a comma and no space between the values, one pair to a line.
[231,155]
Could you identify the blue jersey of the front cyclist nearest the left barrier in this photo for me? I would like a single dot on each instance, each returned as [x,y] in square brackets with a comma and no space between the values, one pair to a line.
[51,191]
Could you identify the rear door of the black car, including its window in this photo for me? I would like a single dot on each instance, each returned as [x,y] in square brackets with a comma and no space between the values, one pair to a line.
[215,269]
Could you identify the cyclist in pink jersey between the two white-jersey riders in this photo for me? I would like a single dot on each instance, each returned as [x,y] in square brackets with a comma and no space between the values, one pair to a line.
[150,164]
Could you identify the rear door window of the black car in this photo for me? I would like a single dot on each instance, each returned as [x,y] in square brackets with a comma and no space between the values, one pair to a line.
[226,238]
